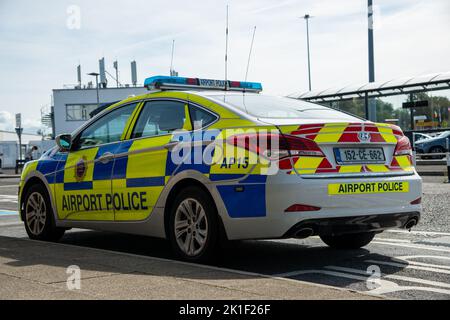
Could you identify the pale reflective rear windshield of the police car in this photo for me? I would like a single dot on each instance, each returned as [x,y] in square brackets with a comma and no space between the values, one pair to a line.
[262,106]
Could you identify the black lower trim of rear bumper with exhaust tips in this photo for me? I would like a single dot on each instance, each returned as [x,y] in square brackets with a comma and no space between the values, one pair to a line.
[358,224]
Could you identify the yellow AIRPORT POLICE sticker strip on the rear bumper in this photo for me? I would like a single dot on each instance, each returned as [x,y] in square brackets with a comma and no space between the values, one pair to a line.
[368,187]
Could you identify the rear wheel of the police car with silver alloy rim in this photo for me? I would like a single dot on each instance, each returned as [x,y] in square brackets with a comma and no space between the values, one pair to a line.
[193,225]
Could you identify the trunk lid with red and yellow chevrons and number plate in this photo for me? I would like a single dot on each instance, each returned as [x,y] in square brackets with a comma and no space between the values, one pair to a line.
[350,148]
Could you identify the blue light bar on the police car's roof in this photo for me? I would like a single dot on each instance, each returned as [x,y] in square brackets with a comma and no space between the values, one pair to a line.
[182,83]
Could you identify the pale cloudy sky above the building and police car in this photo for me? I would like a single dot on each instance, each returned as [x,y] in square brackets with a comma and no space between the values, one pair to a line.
[42,42]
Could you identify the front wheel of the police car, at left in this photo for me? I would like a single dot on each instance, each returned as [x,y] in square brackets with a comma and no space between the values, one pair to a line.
[38,215]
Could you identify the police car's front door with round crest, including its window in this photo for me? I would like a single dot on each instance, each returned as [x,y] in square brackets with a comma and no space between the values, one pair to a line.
[83,186]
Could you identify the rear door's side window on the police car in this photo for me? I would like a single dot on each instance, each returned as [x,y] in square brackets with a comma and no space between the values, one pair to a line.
[160,117]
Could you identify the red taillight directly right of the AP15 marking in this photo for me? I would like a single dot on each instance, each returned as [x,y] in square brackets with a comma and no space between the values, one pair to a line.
[276,146]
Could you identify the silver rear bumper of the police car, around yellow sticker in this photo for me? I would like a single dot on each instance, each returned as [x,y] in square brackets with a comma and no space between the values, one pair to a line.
[338,213]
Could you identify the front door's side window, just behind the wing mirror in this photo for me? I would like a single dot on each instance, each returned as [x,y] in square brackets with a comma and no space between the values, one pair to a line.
[107,129]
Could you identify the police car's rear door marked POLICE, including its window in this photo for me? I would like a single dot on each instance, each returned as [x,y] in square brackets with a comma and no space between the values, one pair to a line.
[143,164]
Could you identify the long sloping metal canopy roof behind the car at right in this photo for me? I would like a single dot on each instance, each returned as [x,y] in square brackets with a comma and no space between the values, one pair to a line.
[439,81]
